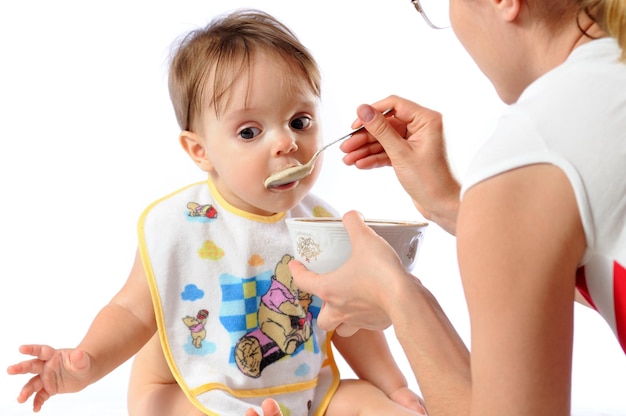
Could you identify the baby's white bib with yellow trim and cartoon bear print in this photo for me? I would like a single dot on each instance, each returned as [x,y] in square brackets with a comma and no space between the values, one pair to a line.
[233,328]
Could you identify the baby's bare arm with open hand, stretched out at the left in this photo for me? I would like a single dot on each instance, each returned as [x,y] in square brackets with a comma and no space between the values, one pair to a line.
[119,330]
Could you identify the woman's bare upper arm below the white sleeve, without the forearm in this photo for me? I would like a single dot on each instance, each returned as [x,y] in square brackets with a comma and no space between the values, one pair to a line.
[520,240]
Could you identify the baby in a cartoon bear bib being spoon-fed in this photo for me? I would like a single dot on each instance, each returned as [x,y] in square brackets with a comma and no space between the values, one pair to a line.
[210,308]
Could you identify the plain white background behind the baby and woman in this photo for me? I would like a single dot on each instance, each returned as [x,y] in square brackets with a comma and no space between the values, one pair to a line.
[88,139]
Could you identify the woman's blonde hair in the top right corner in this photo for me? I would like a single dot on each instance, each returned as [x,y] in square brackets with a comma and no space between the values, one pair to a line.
[611,16]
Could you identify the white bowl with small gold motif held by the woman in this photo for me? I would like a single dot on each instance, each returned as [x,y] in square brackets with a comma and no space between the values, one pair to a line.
[323,245]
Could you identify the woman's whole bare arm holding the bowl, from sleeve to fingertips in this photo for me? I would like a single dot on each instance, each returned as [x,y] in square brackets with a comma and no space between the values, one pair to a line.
[520,240]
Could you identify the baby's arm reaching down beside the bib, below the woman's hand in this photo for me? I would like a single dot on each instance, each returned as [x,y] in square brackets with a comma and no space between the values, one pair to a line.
[368,354]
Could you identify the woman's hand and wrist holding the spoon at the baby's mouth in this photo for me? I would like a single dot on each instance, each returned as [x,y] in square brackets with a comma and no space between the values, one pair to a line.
[412,142]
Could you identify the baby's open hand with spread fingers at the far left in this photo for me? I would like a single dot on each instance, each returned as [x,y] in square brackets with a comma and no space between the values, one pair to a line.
[56,371]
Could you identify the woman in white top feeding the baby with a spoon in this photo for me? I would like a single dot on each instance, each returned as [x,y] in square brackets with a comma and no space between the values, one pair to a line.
[541,212]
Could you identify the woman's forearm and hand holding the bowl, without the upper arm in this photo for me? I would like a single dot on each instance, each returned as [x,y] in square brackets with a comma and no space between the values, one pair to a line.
[372,290]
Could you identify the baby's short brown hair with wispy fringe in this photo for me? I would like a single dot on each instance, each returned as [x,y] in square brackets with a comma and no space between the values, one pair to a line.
[223,51]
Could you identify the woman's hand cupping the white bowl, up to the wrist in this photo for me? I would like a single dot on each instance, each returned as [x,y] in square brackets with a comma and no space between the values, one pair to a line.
[360,293]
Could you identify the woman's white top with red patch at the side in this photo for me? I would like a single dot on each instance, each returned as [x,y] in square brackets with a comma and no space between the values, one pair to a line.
[574,117]
